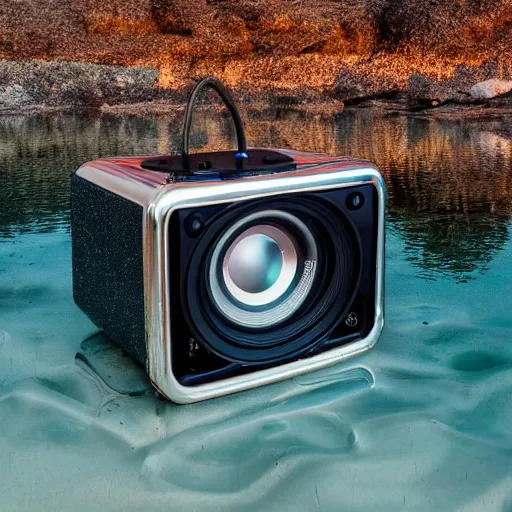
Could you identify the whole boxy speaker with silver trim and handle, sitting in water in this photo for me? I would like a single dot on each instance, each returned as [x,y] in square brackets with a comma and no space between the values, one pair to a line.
[228,270]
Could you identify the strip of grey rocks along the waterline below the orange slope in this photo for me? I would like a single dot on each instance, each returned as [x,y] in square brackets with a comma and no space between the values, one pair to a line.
[42,86]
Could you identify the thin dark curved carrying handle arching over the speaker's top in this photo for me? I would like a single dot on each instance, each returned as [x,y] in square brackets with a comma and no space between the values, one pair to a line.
[218,87]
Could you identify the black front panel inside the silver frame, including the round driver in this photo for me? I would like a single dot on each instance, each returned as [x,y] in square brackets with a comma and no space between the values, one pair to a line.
[261,283]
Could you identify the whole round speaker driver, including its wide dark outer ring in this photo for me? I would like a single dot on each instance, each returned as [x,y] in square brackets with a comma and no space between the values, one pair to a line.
[269,280]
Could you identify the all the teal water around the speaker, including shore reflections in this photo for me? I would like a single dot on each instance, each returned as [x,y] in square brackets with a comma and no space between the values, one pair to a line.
[421,422]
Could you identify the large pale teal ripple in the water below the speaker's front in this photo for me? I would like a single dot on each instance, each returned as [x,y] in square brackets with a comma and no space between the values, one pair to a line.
[230,457]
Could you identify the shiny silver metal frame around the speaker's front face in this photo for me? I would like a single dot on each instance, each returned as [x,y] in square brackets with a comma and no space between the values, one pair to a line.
[188,195]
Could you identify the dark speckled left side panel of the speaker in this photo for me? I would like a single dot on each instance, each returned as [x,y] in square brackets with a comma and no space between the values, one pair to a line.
[108,279]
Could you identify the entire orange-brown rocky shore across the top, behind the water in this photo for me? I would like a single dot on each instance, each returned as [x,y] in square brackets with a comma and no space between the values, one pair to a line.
[90,54]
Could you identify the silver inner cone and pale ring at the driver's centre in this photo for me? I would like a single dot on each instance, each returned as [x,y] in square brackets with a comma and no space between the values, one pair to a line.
[263,275]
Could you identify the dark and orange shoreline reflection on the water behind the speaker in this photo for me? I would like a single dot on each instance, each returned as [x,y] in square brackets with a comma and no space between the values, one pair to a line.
[450,182]
